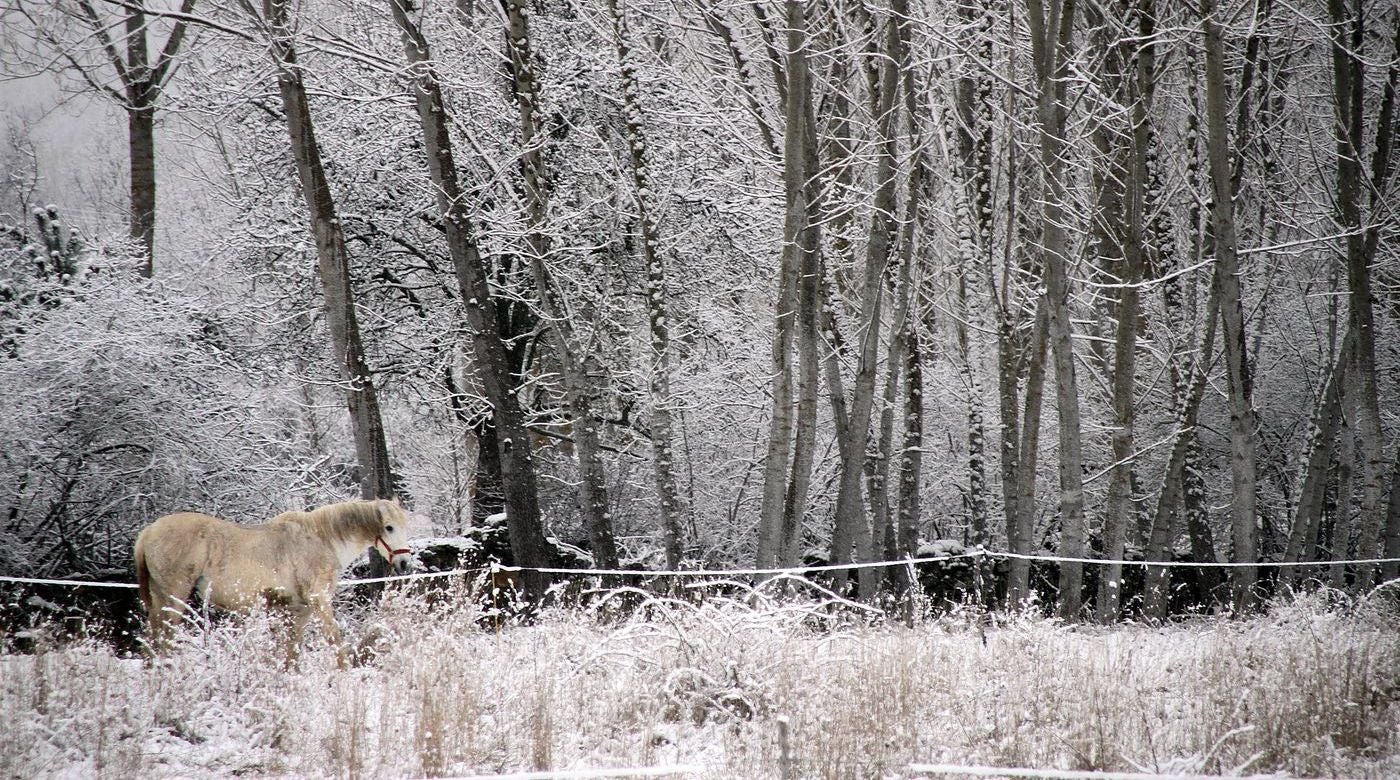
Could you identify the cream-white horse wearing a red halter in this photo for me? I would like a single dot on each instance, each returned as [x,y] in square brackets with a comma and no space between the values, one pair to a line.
[290,564]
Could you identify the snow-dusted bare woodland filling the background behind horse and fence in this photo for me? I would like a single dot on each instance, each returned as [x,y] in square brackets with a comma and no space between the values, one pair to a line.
[710,282]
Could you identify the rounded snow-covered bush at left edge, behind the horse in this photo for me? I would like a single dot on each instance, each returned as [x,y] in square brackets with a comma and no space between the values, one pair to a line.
[124,403]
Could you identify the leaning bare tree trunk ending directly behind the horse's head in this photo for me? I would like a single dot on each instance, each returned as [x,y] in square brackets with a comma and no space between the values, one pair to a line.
[334,261]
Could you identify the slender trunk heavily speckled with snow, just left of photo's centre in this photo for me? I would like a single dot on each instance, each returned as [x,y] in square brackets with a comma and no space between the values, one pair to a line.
[660,366]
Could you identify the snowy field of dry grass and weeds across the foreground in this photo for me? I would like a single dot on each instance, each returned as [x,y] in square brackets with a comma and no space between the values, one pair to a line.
[1311,690]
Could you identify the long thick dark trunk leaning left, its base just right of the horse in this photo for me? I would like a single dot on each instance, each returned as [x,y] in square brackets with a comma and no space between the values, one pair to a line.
[523,519]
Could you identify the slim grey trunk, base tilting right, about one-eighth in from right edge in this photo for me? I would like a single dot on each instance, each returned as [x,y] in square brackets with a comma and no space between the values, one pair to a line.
[1233,316]
